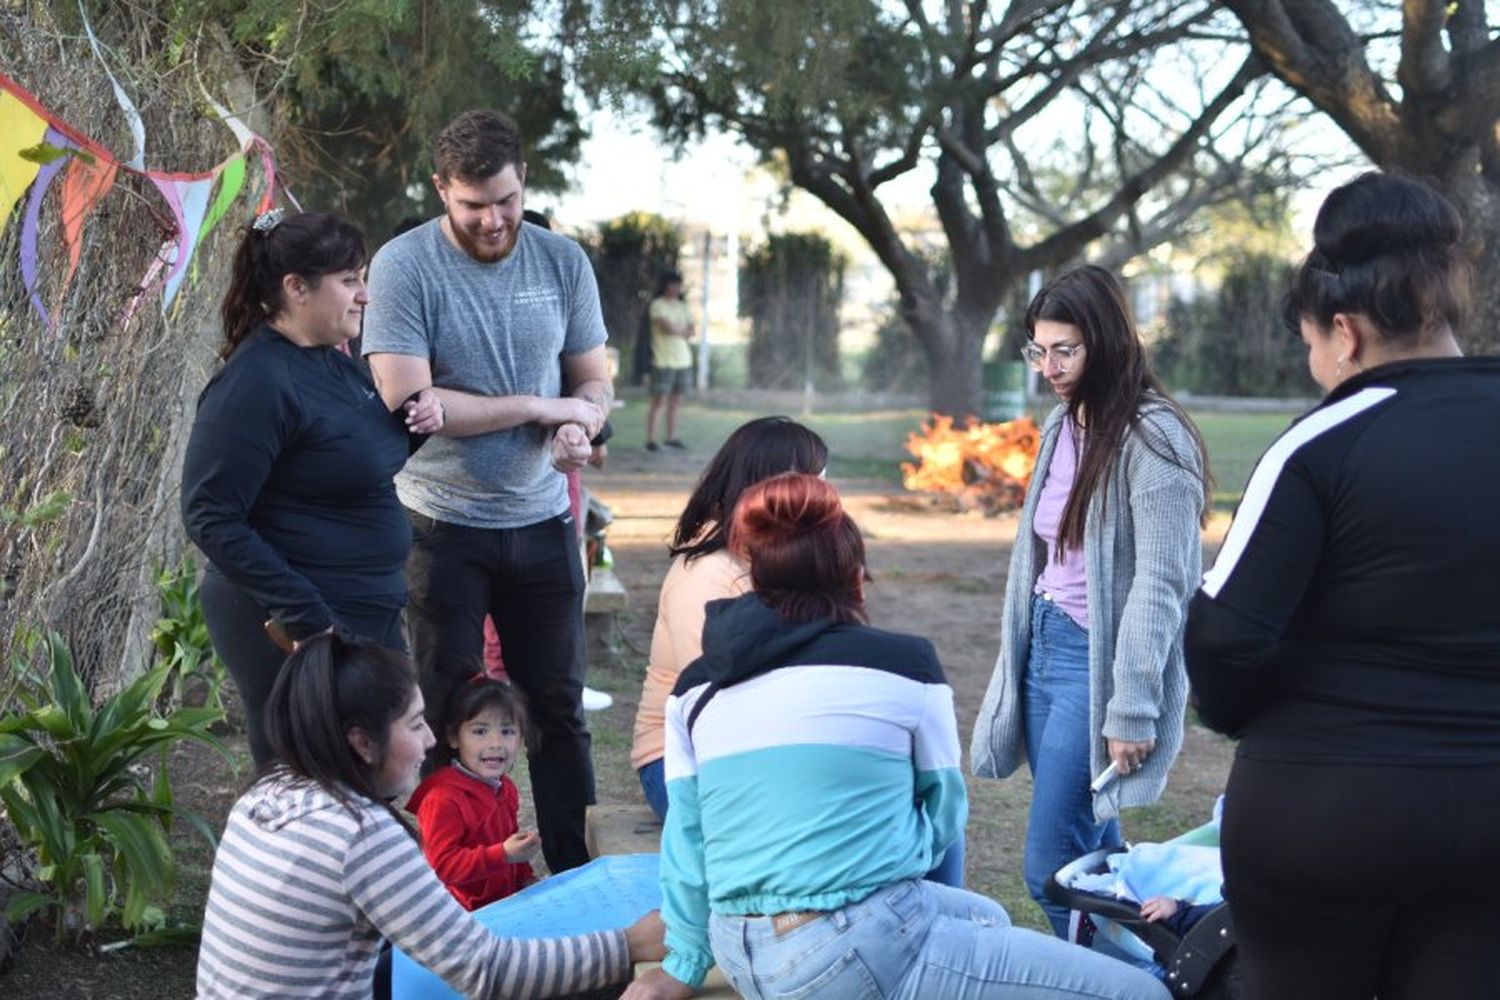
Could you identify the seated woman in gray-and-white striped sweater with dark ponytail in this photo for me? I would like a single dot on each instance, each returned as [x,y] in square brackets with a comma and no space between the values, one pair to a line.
[317,867]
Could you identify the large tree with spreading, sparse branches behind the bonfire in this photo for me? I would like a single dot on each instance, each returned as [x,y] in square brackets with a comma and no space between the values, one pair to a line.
[1142,107]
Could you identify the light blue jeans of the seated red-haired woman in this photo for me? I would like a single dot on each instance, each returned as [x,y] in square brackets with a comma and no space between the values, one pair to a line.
[916,941]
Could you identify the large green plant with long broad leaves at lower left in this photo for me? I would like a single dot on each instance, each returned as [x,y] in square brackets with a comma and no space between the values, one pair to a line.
[79,788]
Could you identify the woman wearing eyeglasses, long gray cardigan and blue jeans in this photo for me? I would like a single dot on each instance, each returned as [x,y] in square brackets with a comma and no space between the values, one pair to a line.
[1090,681]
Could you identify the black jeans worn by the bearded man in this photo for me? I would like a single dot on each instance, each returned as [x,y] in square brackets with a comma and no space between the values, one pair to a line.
[532,582]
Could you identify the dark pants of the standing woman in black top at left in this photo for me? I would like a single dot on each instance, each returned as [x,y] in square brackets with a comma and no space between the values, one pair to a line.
[238,629]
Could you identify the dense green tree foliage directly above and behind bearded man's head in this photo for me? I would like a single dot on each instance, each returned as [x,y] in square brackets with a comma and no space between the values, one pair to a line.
[362,88]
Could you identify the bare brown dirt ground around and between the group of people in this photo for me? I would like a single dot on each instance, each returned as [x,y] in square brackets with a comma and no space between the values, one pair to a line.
[938,575]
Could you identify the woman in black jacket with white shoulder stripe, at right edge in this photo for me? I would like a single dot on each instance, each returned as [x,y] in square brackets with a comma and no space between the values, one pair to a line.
[1349,632]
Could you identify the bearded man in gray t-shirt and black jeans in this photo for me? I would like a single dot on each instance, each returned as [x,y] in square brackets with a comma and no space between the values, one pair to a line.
[484,308]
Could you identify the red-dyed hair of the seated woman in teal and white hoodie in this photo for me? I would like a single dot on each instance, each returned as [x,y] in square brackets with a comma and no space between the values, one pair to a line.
[806,554]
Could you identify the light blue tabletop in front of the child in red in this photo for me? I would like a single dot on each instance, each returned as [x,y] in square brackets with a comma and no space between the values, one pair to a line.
[605,894]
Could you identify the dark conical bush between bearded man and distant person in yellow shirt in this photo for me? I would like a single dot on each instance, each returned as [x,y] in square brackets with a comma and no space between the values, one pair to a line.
[629,257]
